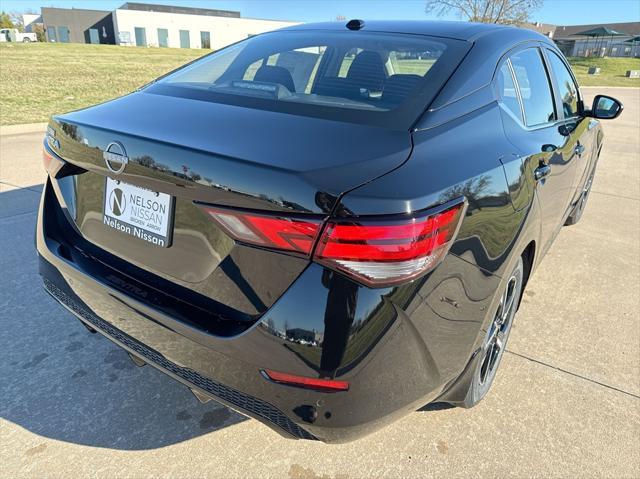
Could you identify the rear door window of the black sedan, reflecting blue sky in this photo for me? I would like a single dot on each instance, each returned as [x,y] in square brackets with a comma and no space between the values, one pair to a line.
[534,87]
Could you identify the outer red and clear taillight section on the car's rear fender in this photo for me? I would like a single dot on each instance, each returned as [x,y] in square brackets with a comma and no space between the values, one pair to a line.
[383,252]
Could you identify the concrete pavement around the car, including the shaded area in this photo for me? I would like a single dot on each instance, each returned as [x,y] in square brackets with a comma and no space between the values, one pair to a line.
[565,403]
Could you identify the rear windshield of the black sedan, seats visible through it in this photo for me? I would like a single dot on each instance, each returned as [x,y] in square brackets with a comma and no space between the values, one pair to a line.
[377,78]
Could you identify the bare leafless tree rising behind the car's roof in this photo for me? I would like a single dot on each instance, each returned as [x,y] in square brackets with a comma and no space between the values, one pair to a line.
[486,11]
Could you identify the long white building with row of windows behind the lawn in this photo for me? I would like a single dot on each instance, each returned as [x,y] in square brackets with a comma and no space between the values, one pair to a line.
[140,24]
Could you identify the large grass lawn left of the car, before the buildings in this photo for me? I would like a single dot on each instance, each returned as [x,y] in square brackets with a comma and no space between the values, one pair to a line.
[41,79]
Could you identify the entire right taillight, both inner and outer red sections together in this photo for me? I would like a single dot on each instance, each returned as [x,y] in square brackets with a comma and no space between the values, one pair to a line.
[375,251]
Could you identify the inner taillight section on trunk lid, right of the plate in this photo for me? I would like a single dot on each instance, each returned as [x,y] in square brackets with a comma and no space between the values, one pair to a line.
[277,232]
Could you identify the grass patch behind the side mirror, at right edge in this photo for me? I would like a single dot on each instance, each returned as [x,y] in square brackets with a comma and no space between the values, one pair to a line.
[612,72]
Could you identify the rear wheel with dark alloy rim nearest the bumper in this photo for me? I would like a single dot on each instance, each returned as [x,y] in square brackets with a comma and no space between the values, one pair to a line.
[495,340]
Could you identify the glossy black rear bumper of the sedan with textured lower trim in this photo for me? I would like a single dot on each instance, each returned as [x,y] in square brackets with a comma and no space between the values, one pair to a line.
[399,348]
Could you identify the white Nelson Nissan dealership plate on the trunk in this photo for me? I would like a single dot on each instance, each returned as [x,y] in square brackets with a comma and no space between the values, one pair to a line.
[142,213]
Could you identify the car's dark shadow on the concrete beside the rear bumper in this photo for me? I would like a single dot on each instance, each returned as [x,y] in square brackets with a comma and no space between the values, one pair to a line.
[60,381]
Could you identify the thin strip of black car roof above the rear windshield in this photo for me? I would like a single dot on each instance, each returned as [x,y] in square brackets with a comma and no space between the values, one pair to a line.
[448,29]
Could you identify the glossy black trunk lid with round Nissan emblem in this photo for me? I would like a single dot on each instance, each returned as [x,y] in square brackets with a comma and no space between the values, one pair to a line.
[193,153]
